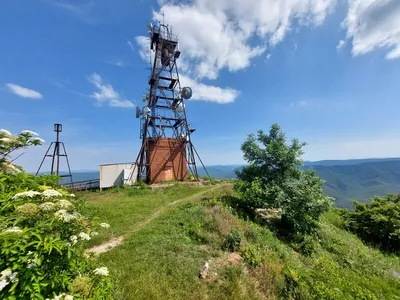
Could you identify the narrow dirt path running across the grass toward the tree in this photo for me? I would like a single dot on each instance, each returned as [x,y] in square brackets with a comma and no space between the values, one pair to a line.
[107,246]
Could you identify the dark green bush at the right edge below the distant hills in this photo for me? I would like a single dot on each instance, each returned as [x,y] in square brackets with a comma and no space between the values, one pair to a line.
[378,222]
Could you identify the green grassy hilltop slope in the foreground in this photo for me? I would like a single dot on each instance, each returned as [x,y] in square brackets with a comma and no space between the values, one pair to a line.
[163,258]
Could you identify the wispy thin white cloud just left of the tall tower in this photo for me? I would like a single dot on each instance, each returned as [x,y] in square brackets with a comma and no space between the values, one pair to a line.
[106,93]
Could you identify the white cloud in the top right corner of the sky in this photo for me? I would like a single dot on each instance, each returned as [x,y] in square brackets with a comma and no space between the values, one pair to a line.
[374,24]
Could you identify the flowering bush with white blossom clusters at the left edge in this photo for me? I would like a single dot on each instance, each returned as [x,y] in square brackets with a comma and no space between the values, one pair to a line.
[43,238]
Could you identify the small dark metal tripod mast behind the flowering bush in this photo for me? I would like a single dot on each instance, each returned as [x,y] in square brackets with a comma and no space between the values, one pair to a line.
[56,154]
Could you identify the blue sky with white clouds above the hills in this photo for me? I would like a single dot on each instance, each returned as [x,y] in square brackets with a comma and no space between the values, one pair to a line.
[327,71]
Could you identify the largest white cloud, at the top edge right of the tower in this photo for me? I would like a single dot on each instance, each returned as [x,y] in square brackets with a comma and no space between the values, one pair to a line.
[228,34]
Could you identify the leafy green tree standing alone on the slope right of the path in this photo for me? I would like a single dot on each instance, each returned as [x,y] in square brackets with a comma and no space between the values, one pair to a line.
[274,179]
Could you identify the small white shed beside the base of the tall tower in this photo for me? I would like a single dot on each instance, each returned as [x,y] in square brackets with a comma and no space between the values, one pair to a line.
[117,174]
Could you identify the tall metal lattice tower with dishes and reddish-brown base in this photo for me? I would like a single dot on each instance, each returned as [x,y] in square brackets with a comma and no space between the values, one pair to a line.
[164,129]
